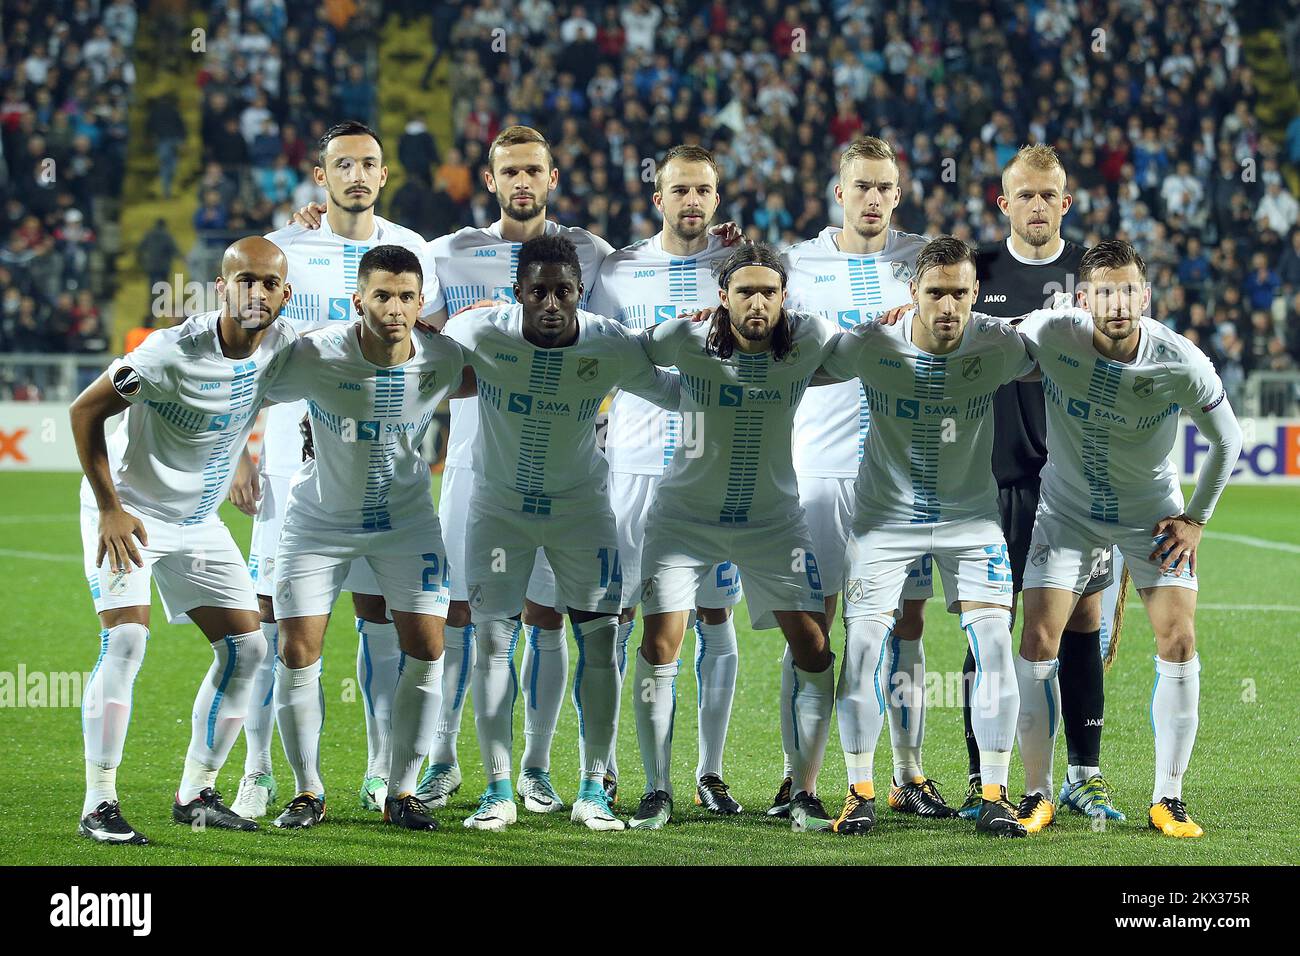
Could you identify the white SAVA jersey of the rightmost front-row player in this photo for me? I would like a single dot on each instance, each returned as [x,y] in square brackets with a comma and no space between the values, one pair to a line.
[1112,425]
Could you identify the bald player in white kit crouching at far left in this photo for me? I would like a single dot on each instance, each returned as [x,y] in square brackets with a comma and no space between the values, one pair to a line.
[149,512]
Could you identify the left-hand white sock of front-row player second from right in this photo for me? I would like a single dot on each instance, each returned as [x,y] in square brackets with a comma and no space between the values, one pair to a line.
[861,697]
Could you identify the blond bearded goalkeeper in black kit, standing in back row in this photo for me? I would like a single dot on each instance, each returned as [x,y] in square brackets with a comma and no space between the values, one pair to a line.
[1024,274]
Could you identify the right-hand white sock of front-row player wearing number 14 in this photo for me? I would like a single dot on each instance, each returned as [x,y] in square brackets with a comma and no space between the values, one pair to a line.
[596,693]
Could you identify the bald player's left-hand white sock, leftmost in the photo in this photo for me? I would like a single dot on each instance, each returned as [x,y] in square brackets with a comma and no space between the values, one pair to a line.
[107,708]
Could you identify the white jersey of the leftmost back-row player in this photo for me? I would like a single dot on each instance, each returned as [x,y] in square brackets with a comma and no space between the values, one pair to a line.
[323,278]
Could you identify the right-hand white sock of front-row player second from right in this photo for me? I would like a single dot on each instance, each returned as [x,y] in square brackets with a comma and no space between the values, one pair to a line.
[995,698]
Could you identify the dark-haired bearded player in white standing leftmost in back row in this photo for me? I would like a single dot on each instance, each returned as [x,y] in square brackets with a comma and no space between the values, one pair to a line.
[323,270]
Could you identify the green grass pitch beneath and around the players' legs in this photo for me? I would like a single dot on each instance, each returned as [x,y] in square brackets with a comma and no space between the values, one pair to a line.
[1241,785]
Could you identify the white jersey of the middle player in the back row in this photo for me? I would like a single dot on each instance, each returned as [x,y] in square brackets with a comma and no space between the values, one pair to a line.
[642,287]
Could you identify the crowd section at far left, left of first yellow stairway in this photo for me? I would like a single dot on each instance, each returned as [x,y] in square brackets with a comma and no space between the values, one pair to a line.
[66,86]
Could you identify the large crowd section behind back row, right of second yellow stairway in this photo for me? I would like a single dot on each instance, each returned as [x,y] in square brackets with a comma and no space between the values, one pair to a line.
[1149,105]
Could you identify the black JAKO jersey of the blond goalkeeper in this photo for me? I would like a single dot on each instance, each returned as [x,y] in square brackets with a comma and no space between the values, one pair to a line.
[1011,288]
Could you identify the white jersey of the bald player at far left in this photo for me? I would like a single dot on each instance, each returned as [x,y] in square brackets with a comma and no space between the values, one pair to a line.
[192,412]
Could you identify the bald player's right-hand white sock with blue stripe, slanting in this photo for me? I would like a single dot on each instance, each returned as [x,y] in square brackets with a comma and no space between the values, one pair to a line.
[219,710]
